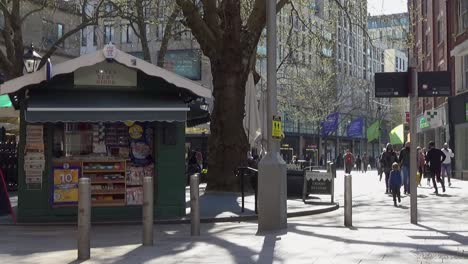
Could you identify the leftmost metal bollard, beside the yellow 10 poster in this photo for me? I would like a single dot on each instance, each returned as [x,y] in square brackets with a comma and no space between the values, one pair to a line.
[84,218]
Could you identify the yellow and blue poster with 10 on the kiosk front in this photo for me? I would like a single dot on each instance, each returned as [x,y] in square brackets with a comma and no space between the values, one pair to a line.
[65,186]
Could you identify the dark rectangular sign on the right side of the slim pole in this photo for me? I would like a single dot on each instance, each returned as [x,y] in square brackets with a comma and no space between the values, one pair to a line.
[434,84]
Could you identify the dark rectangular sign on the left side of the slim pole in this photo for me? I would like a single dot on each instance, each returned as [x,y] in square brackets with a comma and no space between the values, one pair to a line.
[391,84]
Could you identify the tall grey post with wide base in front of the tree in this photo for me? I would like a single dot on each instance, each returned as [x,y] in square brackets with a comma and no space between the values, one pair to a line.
[272,209]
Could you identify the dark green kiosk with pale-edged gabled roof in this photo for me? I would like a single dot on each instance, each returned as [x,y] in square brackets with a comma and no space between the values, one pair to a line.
[107,116]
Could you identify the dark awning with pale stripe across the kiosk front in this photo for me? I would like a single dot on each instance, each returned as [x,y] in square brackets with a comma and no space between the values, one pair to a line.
[103,107]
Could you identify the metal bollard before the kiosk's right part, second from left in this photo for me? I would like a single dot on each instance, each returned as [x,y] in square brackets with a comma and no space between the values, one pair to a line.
[148,211]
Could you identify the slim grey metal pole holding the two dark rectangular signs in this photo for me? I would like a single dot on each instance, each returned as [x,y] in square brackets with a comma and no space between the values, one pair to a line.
[413,146]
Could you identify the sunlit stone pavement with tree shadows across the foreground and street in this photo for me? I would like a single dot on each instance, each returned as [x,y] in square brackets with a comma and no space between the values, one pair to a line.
[381,234]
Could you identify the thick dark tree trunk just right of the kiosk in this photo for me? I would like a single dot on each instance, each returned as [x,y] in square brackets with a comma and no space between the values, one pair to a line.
[227,144]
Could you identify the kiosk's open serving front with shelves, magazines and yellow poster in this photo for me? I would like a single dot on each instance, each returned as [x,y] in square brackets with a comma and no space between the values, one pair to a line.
[115,156]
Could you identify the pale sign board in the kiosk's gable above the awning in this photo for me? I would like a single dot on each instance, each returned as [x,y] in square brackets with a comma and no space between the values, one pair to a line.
[105,74]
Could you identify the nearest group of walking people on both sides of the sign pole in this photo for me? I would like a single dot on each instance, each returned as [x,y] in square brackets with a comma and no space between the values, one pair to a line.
[435,164]
